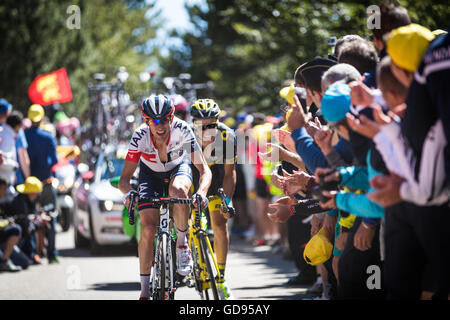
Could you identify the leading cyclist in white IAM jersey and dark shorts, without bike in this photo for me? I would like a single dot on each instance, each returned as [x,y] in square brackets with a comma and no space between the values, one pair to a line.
[163,147]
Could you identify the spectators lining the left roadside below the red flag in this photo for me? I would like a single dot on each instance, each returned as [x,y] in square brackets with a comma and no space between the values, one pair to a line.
[28,207]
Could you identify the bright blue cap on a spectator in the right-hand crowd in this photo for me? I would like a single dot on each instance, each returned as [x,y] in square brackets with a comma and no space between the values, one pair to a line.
[336,102]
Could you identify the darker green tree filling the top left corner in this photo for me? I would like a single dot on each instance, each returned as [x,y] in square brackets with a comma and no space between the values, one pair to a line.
[34,40]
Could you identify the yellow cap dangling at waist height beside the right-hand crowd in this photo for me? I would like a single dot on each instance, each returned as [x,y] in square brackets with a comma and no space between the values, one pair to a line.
[318,249]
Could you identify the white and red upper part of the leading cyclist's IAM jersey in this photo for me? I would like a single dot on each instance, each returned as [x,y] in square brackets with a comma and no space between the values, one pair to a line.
[180,144]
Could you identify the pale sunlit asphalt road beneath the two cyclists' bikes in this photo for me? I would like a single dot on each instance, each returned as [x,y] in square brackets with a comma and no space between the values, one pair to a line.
[252,273]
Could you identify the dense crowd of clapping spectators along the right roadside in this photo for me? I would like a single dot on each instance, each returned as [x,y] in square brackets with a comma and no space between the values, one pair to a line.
[360,154]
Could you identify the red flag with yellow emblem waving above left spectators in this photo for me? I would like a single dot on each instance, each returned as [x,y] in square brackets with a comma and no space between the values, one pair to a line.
[50,88]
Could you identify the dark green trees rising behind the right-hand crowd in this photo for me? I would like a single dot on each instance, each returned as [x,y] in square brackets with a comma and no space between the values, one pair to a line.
[248,48]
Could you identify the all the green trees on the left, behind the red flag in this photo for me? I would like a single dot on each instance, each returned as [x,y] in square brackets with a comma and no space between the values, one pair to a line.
[36,40]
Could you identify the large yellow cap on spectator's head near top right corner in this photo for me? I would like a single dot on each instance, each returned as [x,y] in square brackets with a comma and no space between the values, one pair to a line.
[406,45]
